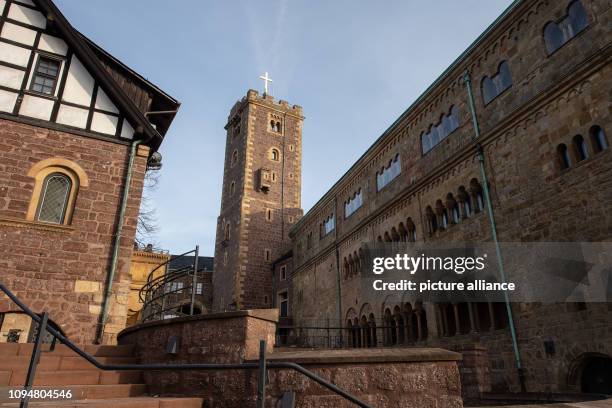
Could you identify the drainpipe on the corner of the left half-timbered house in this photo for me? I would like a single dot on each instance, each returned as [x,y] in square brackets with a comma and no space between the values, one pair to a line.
[116,244]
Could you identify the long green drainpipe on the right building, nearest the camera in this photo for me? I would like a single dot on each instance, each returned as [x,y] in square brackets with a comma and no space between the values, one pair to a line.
[487,197]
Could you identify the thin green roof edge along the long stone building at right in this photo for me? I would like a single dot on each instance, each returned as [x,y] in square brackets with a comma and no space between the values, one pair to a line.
[460,59]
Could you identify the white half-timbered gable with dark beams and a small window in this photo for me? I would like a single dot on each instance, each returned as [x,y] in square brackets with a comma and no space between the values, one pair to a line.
[43,78]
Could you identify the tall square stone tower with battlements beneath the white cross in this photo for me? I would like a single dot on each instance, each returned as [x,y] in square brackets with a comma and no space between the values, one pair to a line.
[260,201]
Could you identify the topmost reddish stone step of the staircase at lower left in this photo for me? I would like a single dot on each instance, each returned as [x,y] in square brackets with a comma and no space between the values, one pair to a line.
[18,349]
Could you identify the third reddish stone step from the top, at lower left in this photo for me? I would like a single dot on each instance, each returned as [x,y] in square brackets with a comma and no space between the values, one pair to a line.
[72,377]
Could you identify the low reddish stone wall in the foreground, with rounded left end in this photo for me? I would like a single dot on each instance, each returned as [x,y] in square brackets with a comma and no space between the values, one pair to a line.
[423,378]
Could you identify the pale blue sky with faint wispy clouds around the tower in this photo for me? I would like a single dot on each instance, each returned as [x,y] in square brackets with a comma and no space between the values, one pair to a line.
[354,66]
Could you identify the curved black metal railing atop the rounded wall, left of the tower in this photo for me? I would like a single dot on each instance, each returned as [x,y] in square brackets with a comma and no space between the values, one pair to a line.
[168,291]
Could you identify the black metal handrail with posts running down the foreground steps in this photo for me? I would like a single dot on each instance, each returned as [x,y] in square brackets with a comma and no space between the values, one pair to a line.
[263,365]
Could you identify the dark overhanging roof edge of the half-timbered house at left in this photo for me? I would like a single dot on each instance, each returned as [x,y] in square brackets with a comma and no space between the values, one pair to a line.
[84,50]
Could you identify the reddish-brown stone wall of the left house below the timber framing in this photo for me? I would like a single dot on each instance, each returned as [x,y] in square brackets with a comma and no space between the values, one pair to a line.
[62,269]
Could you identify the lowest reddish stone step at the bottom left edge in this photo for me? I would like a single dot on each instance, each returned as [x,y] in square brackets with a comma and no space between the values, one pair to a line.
[134,402]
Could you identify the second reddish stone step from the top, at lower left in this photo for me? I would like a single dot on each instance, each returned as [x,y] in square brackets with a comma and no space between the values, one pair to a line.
[52,362]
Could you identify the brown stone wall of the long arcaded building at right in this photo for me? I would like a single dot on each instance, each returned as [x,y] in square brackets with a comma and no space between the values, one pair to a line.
[552,99]
